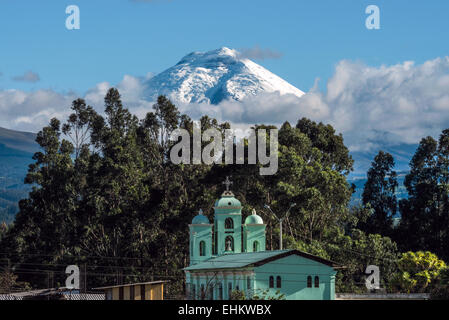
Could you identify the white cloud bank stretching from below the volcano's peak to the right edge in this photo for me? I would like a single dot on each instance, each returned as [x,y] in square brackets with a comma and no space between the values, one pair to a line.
[373,107]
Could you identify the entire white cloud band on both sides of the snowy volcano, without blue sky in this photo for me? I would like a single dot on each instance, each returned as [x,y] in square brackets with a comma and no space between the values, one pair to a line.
[373,107]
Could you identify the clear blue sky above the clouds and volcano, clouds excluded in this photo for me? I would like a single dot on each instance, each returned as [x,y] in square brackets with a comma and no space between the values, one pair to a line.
[119,37]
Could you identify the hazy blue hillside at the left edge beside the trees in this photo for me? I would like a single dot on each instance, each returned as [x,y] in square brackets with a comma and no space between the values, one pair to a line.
[16,151]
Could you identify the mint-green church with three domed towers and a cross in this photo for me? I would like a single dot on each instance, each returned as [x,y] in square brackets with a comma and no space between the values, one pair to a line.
[227,256]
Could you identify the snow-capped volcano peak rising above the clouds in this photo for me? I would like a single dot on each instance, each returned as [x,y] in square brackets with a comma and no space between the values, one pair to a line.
[214,76]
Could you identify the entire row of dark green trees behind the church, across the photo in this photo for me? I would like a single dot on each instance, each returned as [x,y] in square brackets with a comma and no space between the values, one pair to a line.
[106,196]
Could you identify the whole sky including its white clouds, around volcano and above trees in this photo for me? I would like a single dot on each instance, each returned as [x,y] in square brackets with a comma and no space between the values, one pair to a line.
[382,89]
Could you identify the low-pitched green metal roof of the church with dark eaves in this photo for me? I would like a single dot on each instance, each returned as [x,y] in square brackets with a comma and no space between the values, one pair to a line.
[240,260]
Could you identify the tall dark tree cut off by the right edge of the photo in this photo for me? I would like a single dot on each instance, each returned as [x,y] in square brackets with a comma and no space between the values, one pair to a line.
[425,214]
